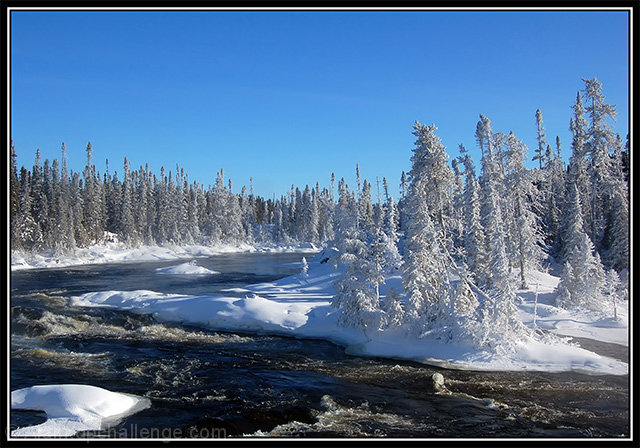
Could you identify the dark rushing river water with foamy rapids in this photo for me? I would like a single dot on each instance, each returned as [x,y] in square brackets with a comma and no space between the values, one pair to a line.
[204,383]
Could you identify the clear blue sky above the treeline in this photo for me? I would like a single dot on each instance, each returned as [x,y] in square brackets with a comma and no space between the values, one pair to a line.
[290,97]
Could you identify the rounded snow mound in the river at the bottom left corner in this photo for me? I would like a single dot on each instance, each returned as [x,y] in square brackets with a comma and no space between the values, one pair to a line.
[71,408]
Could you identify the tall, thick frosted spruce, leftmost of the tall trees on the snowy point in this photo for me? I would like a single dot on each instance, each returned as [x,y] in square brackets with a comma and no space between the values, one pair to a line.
[425,276]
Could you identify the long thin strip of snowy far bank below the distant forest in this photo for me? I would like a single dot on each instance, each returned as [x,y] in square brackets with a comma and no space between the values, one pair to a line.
[115,252]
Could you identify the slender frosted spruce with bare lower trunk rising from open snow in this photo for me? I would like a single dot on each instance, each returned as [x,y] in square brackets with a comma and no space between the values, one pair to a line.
[524,226]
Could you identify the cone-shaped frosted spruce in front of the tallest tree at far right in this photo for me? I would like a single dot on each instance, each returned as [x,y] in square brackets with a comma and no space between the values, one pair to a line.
[583,276]
